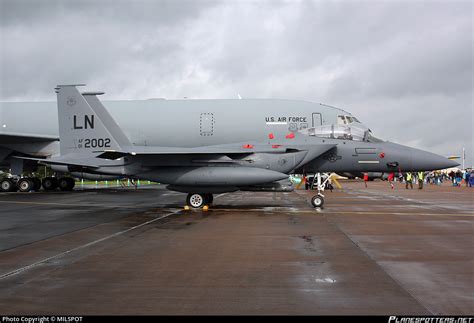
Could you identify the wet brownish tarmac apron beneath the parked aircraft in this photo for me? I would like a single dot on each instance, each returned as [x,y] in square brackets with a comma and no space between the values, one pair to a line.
[127,251]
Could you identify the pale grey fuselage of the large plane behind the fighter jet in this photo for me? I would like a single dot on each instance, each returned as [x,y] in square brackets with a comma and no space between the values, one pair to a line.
[182,123]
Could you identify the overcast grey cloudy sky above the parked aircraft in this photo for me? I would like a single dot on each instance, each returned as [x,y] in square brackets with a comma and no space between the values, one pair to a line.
[405,68]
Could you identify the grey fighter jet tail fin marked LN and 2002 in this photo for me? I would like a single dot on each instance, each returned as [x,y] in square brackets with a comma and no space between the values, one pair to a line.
[85,126]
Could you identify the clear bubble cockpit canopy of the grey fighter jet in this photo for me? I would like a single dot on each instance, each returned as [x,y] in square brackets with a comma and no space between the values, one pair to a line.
[343,131]
